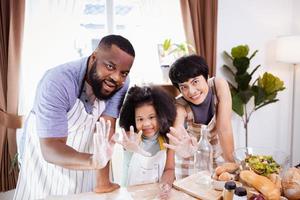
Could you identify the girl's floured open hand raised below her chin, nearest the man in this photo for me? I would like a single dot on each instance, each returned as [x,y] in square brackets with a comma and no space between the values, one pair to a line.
[132,143]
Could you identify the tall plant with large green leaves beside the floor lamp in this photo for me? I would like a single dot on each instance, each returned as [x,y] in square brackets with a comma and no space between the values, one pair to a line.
[263,90]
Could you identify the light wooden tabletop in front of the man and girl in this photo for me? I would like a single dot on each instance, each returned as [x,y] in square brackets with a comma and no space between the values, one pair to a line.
[140,192]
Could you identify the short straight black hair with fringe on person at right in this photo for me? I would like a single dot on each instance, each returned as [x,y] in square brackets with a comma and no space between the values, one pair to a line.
[187,67]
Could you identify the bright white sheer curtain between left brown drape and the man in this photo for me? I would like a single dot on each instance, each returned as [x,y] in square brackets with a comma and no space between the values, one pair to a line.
[50,29]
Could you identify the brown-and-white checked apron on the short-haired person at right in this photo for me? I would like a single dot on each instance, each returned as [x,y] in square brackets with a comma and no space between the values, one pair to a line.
[185,166]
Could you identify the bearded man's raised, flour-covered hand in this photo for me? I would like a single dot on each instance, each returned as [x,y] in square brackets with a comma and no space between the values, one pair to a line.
[103,148]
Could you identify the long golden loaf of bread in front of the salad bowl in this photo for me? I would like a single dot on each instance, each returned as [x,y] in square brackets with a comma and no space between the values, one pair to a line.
[261,183]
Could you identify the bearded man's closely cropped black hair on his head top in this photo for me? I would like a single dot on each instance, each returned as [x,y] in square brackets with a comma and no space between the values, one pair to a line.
[119,41]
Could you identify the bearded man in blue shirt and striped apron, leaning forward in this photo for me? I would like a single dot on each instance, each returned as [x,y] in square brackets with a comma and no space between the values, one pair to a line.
[61,150]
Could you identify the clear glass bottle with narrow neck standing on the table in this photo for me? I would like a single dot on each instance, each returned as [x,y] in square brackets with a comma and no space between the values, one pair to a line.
[203,157]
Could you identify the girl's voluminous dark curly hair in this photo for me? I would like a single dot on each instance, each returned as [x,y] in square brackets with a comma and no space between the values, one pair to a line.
[162,102]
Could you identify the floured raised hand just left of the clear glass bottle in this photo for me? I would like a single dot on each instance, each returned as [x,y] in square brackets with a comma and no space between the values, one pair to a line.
[182,143]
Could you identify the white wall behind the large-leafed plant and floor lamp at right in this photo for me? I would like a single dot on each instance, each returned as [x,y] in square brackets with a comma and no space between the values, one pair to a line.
[258,24]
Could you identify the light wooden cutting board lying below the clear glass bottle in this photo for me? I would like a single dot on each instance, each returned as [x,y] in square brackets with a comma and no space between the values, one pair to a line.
[195,185]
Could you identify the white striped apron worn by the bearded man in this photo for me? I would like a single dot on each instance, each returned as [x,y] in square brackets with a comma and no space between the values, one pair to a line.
[38,178]
